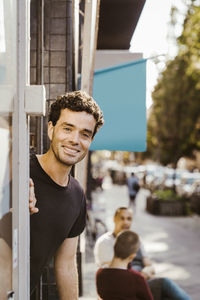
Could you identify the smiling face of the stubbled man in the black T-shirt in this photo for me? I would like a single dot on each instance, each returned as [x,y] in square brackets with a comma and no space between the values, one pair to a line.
[71,136]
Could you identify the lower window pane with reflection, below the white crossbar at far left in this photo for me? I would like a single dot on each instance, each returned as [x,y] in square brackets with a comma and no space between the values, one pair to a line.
[5,208]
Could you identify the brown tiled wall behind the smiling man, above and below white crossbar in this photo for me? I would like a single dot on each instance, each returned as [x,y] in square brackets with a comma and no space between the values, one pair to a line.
[51,58]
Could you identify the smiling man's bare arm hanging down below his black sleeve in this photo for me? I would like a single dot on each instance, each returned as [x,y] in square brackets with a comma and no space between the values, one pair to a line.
[66,269]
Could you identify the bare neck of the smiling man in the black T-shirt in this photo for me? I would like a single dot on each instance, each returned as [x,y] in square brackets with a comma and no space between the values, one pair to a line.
[58,172]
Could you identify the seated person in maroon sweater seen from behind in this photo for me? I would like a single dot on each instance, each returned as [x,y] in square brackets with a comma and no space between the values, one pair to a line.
[118,282]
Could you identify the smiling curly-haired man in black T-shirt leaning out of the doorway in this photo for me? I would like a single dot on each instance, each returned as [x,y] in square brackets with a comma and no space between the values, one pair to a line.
[60,215]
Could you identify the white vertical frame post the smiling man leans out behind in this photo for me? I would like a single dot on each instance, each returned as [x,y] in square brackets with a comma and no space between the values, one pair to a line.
[20,159]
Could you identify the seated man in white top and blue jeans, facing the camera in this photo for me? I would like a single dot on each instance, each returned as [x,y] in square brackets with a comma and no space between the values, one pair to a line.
[161,288]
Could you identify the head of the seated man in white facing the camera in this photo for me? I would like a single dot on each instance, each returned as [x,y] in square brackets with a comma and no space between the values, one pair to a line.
[123,220]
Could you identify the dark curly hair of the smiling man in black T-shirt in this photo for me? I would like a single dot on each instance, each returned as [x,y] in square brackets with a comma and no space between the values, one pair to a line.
[76,101]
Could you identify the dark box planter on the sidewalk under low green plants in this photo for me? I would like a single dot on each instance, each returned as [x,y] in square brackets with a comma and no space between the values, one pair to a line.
[162,207]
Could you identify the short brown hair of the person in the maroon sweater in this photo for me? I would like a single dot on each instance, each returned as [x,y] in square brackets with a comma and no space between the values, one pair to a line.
[127,243]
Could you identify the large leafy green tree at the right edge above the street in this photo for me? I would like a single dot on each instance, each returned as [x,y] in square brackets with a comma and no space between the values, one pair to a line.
[174,122]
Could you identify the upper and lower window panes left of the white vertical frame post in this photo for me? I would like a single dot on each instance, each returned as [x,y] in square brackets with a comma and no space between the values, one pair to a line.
[7,81]
